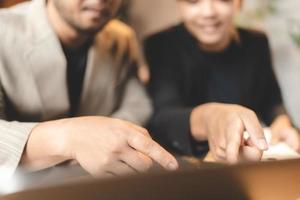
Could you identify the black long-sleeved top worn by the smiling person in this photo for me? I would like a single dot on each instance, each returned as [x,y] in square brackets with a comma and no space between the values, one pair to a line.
[184,76]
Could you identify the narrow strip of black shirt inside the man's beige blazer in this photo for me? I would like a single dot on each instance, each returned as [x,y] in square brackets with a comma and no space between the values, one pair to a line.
[76,67]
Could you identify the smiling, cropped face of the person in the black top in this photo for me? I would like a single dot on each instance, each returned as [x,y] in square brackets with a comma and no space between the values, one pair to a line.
[210,21]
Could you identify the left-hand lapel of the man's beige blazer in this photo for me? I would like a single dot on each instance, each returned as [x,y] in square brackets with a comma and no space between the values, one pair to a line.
[48,64]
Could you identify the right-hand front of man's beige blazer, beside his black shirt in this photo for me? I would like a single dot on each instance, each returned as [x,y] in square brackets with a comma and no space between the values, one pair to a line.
[99,82]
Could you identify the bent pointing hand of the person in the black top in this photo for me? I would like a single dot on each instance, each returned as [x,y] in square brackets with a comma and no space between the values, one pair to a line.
[223,125]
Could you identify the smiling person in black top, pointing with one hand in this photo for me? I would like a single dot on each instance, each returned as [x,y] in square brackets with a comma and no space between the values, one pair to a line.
[203,72]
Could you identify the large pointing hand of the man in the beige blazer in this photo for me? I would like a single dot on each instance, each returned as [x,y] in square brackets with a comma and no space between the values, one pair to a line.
[103,145]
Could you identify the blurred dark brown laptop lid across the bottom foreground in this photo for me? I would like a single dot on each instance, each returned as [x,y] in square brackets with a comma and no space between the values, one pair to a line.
[260,181]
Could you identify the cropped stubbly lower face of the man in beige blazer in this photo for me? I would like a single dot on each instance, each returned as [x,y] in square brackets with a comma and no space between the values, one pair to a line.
[87,16]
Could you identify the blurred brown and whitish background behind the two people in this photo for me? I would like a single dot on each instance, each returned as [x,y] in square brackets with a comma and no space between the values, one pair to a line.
[280,19]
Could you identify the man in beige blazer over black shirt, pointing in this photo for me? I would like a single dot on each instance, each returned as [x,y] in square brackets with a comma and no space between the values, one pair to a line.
[68,80]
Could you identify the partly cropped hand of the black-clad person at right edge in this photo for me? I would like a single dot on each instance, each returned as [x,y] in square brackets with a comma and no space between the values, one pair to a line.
[283,131]
